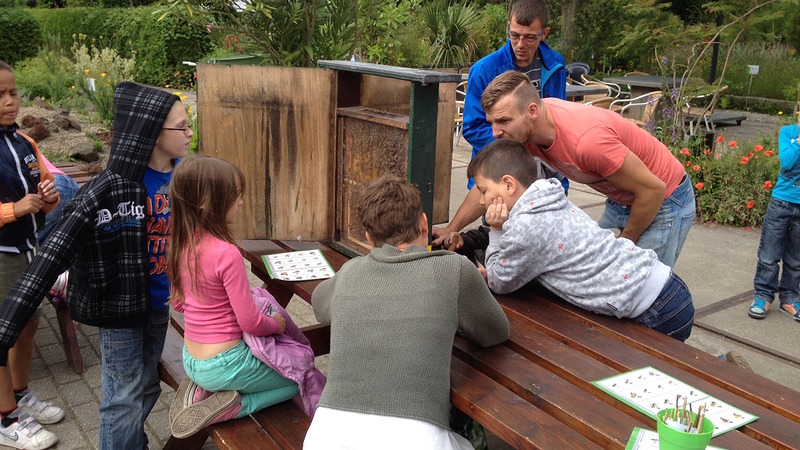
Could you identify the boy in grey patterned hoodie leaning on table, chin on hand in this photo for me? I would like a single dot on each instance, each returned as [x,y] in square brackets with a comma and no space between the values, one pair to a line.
[536,233]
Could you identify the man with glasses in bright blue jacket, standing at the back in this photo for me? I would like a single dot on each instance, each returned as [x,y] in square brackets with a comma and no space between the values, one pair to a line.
[526,52]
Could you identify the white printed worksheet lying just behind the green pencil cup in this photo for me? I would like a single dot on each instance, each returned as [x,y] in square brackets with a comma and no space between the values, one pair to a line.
[650,390]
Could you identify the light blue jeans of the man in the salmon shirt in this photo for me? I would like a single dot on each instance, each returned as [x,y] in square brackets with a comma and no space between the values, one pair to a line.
[668,231]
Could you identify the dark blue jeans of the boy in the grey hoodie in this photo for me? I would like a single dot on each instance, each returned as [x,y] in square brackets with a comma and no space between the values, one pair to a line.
[673,311]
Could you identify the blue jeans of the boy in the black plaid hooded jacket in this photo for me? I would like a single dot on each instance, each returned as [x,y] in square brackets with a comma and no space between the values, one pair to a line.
[131,384]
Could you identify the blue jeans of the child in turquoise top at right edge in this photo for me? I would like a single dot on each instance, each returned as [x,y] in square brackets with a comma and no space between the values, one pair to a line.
[780,241]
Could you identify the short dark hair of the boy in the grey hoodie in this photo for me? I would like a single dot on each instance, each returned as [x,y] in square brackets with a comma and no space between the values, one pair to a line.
[504,157]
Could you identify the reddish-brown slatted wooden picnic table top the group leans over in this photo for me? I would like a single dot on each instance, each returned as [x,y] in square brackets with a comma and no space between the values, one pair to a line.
[536,391]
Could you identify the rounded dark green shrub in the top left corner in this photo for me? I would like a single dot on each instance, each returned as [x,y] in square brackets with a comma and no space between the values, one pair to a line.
[20,37]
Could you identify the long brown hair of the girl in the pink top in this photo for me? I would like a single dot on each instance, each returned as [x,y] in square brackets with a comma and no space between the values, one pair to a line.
[202,191]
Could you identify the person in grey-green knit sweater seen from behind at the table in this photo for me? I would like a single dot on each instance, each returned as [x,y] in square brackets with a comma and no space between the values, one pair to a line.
[393,315]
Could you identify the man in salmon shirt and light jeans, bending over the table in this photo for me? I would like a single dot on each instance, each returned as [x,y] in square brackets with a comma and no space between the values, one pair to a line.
[650,196]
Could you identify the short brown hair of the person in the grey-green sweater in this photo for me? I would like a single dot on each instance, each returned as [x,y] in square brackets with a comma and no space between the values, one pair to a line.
[389,209]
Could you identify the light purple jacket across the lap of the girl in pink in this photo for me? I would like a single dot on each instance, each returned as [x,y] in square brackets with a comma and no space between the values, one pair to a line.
[289,354]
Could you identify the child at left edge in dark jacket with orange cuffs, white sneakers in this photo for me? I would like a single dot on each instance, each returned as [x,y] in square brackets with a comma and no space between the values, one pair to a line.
[27,193]
